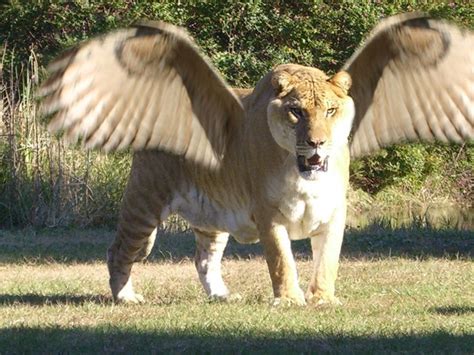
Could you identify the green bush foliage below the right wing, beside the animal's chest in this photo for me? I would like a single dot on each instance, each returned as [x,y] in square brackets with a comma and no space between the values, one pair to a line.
[410,168]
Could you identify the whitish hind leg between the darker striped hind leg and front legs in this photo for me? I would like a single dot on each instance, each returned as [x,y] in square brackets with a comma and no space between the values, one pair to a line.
[209,250]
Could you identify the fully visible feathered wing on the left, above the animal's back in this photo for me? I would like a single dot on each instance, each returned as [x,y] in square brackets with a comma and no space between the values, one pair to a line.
[145,87]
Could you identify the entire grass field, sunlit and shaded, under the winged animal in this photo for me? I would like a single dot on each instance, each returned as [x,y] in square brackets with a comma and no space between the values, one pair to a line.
[407,290]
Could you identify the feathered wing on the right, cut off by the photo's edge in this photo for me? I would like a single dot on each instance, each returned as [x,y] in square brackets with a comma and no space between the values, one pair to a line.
[412,80]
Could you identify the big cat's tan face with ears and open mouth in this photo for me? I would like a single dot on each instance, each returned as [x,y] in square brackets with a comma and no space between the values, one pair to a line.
[310,116]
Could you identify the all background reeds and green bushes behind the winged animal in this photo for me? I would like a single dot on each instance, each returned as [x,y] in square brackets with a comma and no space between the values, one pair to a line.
[44,184]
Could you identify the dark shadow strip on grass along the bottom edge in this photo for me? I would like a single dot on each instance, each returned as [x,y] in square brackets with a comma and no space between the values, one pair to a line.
[113,339]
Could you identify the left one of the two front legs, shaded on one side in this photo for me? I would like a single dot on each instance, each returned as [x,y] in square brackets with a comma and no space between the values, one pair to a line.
[281,264]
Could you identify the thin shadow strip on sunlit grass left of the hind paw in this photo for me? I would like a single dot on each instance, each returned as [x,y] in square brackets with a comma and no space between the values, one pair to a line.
[33,299]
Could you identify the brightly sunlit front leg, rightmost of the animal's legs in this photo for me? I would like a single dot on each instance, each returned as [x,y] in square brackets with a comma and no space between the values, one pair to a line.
[326,248]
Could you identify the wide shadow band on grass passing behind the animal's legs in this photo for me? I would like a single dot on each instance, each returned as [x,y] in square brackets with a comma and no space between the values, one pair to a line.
[70,246]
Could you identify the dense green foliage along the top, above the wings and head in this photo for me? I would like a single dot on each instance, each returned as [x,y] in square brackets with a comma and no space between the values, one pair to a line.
[243,38]
